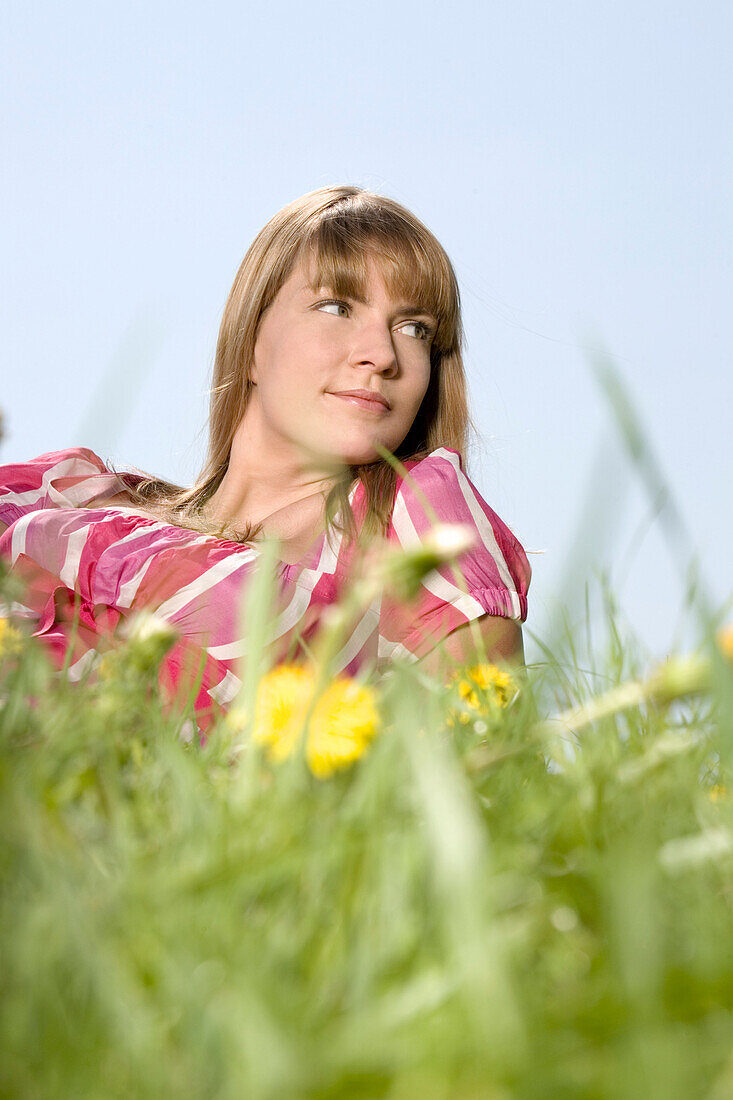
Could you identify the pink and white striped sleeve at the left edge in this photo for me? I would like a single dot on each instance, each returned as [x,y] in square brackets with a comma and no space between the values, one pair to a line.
[52,480]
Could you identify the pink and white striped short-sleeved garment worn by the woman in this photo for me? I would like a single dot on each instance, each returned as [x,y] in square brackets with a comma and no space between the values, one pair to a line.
[112,563]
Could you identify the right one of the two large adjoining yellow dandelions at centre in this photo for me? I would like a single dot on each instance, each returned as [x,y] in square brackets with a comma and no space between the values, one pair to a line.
[344,723]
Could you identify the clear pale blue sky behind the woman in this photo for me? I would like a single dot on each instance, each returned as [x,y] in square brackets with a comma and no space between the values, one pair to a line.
[574,159]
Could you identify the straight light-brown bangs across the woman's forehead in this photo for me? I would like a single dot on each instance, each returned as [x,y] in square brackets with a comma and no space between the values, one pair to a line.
[415,271]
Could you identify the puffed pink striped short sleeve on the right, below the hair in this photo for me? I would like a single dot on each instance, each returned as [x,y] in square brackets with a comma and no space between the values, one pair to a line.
[490,579]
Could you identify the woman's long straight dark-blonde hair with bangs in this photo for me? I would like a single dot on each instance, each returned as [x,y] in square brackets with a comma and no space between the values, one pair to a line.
[337,228]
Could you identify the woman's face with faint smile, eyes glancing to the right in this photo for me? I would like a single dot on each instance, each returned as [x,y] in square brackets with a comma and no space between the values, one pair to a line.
[311,349]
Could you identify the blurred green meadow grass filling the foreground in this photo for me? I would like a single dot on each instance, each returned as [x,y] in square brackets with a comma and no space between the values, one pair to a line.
[521,900]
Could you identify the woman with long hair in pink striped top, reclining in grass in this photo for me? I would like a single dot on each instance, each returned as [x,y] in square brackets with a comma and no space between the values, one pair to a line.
[342,336]
